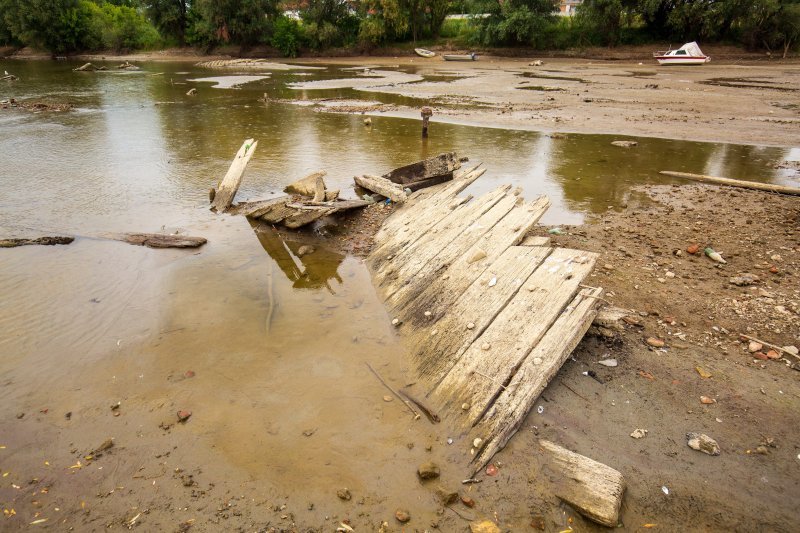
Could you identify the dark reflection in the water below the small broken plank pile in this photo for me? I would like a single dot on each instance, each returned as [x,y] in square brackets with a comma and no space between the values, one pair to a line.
[306,269]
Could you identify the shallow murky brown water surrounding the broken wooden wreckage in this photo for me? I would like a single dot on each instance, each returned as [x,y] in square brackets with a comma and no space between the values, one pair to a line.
[283,403]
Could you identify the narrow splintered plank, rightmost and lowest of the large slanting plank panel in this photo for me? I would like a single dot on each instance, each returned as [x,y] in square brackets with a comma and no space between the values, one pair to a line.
[509,410]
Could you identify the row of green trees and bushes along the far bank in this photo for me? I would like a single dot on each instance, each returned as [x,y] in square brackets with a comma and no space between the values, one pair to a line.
[291,26]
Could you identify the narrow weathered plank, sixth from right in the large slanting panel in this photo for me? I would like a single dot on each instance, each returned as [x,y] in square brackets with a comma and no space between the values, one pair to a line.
[442,232]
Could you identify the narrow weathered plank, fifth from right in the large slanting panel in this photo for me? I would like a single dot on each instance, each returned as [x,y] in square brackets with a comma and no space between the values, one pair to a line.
[443,250]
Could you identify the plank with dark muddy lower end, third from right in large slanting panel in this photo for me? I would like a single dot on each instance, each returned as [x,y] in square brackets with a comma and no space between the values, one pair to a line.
[434,354]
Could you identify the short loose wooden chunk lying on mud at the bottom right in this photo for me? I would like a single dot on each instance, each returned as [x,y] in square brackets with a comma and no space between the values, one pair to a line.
[593,488]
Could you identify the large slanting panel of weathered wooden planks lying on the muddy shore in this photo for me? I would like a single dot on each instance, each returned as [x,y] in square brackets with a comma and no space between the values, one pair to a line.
[480,303]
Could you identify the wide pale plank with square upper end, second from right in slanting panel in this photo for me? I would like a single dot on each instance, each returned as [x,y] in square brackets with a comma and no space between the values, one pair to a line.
[491,360]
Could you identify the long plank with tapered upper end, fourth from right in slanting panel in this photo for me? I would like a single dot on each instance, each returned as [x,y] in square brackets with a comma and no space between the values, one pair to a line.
[443,289]
